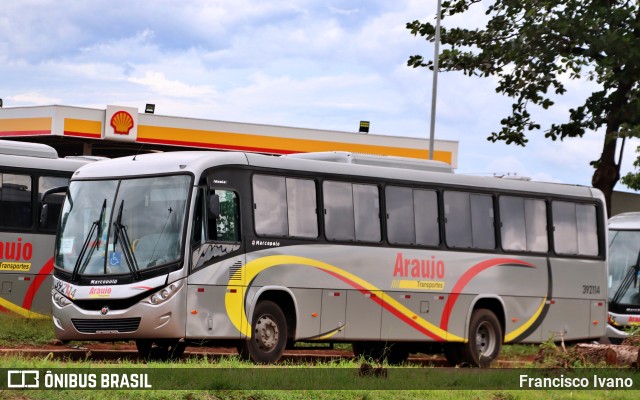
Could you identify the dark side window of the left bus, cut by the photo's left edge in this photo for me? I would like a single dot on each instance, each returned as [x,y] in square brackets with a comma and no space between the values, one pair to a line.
[15,201]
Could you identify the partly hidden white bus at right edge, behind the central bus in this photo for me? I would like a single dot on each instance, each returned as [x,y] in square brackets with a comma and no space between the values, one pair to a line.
[624,275]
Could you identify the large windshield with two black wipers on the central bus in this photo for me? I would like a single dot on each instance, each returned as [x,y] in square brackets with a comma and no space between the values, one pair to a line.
[122,226]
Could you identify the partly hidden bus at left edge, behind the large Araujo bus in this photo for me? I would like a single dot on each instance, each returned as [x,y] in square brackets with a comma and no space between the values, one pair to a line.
[27,172]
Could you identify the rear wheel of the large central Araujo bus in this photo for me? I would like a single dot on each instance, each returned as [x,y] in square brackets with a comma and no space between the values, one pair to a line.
[485,339]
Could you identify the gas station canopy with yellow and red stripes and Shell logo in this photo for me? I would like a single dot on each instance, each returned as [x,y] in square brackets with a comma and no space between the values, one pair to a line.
[119,131]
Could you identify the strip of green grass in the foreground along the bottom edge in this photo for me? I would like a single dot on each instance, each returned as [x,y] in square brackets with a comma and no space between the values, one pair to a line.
[237,370]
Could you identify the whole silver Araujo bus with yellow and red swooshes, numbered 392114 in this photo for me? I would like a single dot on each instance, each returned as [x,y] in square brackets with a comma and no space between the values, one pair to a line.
[389,254]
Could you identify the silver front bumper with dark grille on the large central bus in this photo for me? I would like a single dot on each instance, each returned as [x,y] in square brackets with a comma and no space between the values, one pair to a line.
[142,320]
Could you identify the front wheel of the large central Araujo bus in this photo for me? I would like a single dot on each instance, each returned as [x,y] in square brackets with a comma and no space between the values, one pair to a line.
[269,334]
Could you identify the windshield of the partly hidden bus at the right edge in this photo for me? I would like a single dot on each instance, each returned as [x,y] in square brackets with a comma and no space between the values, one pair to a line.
[624,254]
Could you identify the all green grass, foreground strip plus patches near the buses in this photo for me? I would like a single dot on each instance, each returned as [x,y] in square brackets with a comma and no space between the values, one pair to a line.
[15,331]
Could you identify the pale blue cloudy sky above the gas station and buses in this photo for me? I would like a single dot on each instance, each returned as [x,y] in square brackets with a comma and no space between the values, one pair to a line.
[302,63]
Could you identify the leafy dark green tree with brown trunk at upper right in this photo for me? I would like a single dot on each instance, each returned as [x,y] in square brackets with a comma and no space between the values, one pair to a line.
[532,46]
